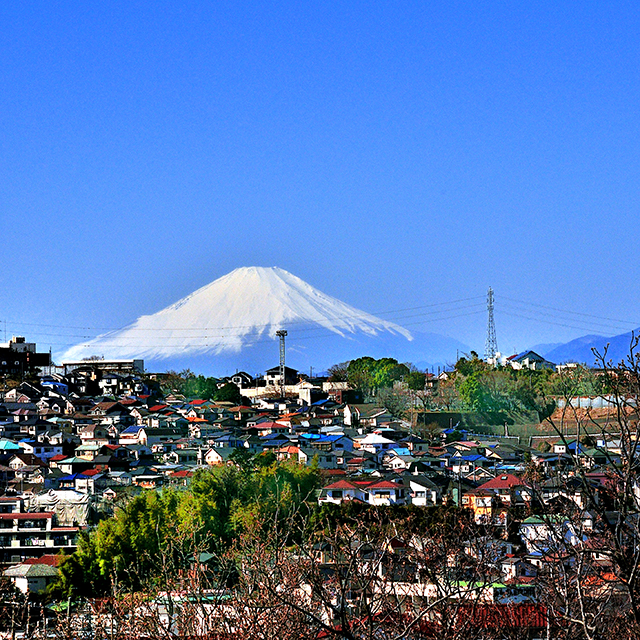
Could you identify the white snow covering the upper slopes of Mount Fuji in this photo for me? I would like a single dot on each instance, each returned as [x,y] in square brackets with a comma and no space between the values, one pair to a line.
[235,312]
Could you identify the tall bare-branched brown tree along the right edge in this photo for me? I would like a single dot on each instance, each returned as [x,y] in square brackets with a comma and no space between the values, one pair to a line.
[593,583]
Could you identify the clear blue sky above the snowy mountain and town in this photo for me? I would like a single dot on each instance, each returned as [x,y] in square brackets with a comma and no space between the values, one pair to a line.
[393,154]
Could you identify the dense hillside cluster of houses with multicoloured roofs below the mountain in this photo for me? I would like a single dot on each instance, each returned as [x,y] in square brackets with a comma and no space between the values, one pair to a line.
[65,457]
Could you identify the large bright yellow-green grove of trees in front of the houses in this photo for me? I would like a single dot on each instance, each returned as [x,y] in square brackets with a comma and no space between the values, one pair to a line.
[155,533]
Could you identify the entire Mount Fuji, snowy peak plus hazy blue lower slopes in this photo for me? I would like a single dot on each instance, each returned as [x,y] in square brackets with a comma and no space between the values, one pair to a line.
[230,324]
